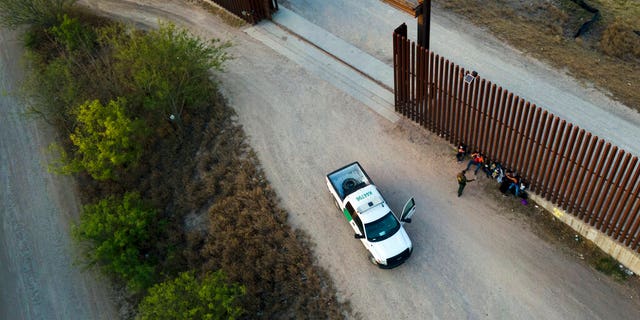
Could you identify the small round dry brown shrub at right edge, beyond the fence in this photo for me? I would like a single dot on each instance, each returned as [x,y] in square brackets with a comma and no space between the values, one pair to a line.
[620,41]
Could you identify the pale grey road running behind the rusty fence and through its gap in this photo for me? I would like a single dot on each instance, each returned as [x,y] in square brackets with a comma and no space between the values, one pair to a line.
[368,24]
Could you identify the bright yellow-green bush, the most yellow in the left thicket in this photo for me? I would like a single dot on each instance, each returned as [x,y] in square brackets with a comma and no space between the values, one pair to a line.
[106,138]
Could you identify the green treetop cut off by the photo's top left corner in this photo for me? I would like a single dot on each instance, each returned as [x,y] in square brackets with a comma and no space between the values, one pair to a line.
[14,13]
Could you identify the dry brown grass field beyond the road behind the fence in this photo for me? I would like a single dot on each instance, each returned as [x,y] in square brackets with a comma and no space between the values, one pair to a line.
[606,56]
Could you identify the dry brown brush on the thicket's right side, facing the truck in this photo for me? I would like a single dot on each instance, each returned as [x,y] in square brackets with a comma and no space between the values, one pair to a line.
[249,236]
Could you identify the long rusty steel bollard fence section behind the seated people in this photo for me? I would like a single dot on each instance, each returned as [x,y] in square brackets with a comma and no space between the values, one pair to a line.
[581,173]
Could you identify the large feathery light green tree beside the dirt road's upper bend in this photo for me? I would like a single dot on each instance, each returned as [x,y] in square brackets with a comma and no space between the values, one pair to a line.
[167,68]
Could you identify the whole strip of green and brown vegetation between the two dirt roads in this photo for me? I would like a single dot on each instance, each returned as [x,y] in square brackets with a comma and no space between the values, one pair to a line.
[154,148]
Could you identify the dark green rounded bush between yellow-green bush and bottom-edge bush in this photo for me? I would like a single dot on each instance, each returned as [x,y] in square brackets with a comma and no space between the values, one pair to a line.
[120,232]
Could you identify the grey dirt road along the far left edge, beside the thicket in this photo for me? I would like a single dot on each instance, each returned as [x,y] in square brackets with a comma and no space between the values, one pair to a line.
[38,277]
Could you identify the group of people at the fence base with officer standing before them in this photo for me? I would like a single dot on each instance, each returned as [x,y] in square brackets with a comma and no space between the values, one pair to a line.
[510,182]
